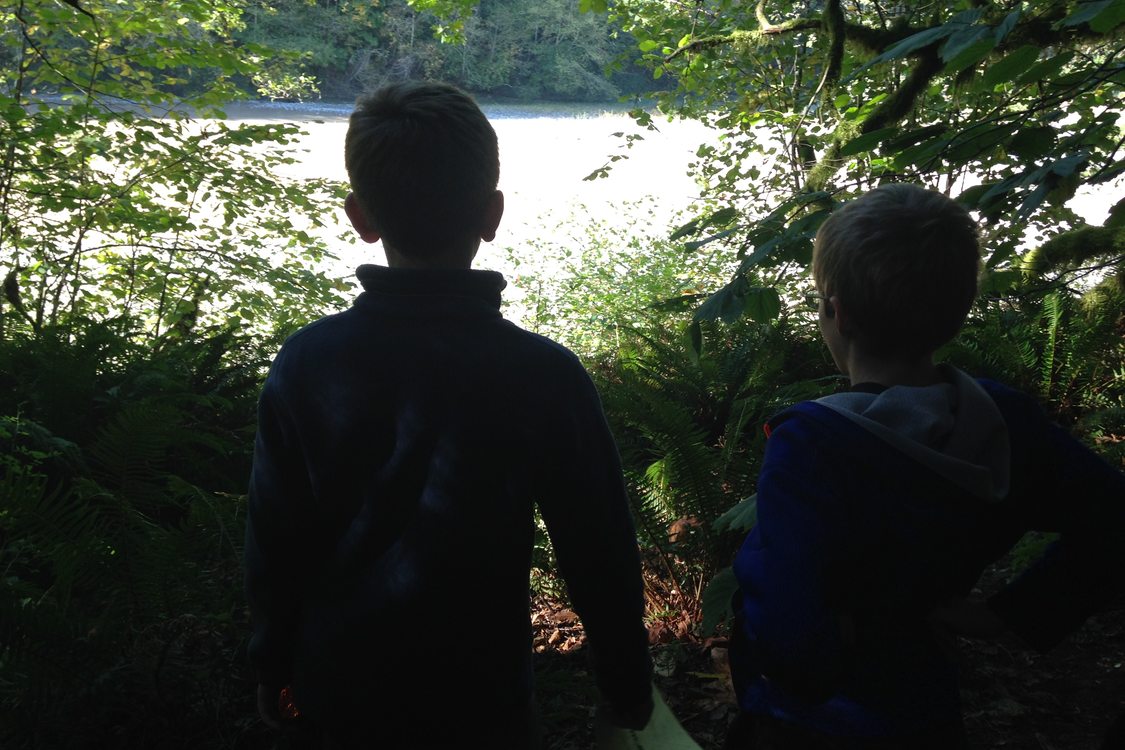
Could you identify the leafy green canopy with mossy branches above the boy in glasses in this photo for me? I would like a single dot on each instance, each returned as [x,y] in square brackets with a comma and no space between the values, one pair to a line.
[1011,107]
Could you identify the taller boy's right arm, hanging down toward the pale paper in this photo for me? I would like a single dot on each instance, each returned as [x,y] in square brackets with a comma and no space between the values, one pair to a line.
[582,500]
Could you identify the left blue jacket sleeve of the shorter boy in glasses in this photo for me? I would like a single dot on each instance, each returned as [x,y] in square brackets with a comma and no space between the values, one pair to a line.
[785,570]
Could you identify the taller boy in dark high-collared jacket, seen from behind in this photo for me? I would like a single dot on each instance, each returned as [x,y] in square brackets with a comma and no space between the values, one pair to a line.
[402,448]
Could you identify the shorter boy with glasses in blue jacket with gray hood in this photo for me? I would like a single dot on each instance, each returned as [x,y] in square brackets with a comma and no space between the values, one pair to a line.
[880,508]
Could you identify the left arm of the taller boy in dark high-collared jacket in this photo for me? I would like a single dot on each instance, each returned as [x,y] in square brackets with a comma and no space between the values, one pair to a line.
[278,484]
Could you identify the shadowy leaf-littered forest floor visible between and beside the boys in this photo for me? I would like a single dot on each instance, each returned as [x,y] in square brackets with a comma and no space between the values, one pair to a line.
[1014,699]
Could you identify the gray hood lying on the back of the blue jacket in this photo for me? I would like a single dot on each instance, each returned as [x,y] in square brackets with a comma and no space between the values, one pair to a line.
[953,428]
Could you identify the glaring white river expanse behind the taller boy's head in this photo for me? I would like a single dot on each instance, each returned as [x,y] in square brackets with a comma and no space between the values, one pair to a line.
[546,152]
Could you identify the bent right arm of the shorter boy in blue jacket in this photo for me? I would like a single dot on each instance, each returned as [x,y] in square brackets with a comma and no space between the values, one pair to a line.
[1068,490]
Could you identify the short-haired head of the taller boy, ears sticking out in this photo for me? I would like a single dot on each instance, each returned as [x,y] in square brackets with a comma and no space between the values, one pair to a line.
[424,165]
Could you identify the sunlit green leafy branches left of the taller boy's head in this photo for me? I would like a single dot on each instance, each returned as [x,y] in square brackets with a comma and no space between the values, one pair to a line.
[122,191]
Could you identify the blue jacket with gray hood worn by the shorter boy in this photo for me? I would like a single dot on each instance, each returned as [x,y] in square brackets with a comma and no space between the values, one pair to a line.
[874,509]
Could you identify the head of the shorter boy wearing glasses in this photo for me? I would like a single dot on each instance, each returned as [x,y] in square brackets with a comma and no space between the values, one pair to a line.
[904,264]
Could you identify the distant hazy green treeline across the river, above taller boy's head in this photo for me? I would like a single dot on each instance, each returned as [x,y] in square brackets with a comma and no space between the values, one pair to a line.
[512,49]
